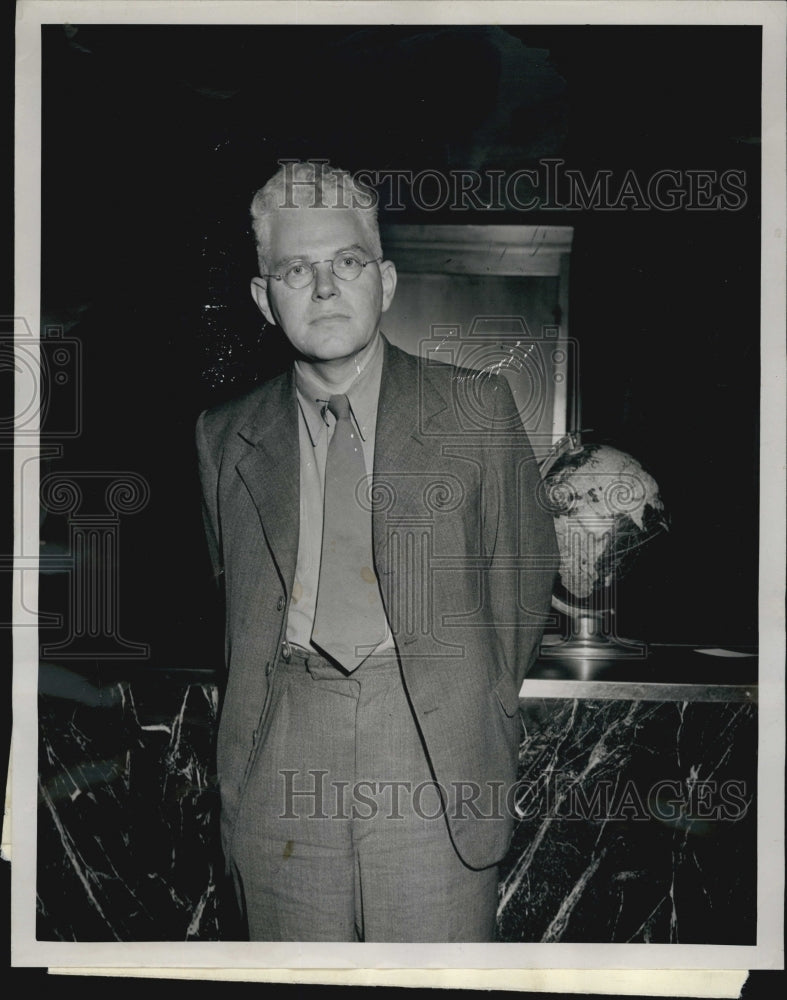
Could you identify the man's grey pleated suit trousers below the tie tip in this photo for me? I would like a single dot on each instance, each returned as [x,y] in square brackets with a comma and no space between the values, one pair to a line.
[341,835]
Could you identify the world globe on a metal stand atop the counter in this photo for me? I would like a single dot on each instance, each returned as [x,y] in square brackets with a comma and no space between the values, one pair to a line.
[605,507]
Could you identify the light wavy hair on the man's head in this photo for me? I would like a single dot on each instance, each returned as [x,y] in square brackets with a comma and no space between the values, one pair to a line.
[317,185]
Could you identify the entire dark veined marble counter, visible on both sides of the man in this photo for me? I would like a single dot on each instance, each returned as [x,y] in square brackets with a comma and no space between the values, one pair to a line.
[635,817]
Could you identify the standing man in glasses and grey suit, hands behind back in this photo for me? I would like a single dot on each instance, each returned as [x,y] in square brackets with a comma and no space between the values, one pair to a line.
[387,571]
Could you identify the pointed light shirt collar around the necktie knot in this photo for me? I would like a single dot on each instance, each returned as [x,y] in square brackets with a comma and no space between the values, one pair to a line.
[362,393]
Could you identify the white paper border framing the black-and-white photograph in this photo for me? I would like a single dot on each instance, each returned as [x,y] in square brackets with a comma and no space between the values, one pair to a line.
[242,955]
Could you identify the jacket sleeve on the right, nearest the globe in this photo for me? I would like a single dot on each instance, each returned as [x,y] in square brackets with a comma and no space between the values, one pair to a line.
[519,538]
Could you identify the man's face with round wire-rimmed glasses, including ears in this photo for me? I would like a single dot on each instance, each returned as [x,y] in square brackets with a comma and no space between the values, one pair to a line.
[330,319]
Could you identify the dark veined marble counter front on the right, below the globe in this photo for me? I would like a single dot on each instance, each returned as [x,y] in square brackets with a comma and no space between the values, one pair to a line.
[638,824]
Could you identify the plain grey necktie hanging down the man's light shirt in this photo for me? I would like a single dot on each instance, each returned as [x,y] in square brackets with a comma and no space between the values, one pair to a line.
[349,619]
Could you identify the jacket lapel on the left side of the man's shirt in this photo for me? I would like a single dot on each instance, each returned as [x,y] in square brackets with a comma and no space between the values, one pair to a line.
[271,471]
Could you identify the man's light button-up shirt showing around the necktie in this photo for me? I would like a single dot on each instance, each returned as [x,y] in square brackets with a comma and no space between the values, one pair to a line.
[315,430]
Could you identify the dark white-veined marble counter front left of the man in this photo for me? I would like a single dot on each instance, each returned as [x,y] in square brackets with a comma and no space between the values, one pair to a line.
[128,809]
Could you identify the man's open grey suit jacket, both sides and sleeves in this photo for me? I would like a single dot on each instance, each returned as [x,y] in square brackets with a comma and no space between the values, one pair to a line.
[465,554]
